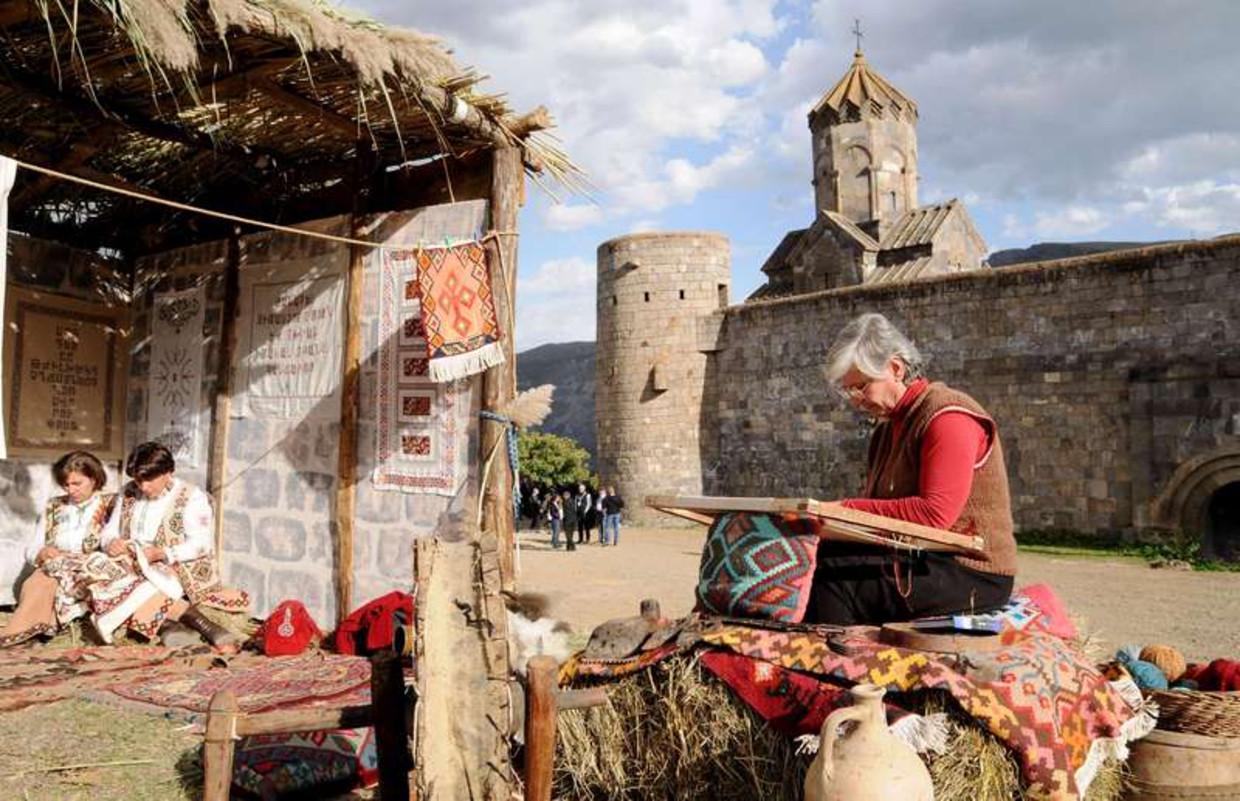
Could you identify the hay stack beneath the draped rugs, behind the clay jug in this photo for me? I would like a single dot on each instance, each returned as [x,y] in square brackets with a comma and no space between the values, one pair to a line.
[675,732]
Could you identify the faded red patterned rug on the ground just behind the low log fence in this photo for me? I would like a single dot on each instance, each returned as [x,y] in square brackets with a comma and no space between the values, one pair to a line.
[260,684]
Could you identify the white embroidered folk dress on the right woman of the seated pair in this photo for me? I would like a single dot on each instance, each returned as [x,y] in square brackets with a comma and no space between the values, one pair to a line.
[139,595]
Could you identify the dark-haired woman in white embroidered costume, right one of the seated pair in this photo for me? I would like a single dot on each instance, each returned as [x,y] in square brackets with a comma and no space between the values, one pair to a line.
[162,540]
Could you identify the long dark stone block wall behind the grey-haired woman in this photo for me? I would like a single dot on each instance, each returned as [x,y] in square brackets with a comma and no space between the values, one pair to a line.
[1105,375]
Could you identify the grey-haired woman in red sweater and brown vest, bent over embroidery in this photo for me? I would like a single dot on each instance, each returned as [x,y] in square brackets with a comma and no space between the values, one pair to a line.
[934,459]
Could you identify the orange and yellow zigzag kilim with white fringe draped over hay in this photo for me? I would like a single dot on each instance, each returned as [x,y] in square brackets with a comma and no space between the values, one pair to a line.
[1060,716]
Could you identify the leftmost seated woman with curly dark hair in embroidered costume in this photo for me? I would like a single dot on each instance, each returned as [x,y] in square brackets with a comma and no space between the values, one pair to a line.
[69,533]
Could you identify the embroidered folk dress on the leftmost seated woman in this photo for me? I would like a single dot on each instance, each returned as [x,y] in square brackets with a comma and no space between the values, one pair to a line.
[56,592]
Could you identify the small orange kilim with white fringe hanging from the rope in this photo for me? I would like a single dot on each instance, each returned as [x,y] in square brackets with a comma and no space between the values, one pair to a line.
[458,311]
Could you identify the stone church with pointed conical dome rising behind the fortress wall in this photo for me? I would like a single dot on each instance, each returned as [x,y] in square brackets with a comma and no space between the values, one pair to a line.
[869,228]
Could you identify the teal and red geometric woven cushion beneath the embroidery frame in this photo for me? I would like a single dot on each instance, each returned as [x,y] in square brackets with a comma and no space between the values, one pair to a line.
[757,566]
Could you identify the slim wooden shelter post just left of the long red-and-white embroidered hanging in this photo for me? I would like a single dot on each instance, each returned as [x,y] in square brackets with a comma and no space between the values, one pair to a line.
[347,464]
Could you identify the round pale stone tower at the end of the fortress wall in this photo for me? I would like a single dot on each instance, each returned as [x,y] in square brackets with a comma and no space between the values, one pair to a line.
[658,294]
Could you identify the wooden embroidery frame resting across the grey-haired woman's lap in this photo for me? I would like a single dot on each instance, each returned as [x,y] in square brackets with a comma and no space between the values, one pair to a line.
[838,524]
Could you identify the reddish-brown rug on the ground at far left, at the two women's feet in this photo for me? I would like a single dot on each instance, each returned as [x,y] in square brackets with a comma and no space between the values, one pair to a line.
[38,676]
